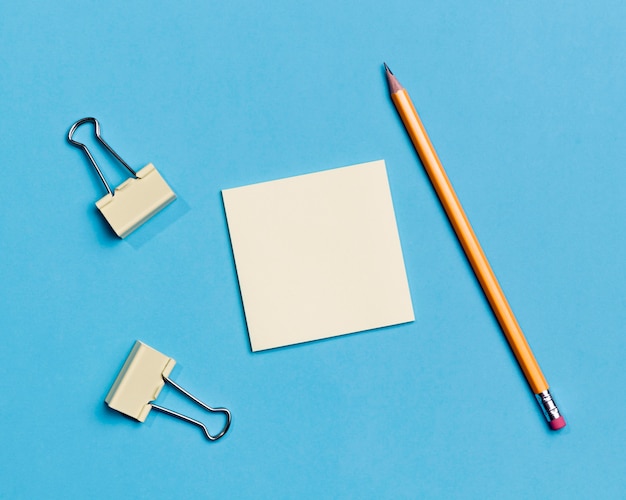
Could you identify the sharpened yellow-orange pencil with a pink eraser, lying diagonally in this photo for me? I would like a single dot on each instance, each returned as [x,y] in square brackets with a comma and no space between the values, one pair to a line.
[474,252]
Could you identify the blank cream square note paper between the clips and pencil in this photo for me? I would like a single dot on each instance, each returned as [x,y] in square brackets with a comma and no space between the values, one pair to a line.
[318,255]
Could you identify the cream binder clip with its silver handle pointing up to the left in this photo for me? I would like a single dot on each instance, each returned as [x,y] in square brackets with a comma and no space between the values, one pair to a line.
[134,201]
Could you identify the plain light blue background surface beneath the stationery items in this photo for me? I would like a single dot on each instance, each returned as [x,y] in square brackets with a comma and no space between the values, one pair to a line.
[525,104]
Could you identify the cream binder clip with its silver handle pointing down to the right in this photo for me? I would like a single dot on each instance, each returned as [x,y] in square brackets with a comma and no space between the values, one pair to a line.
[140,381]
